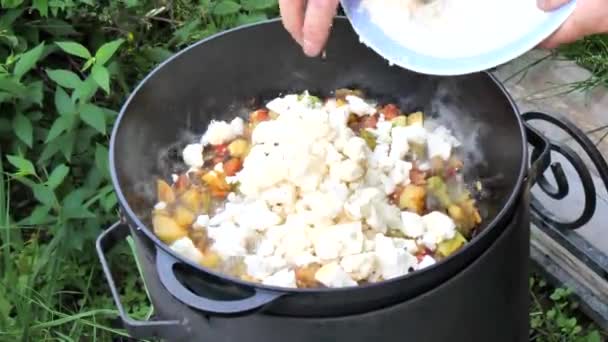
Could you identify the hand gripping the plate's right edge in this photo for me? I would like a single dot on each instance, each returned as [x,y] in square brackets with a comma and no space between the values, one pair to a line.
[589,17]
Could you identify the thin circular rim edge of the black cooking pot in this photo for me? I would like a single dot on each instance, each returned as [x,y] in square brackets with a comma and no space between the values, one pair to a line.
[124,205]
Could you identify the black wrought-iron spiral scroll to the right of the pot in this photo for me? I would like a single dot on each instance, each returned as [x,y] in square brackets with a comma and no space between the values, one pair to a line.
[562,189]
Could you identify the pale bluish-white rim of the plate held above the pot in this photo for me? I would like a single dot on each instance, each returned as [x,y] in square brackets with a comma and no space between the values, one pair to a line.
[536,30]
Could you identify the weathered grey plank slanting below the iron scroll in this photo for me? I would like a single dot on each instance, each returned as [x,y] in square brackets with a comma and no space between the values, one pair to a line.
[565,269]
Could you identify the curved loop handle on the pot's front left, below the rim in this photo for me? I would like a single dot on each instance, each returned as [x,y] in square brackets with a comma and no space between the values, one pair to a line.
[259,299]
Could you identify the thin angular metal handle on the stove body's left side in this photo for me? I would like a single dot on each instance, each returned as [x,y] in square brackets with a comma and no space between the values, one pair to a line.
[137,329]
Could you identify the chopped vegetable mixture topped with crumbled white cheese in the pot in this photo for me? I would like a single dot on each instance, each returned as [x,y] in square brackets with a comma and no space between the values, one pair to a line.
[319,193]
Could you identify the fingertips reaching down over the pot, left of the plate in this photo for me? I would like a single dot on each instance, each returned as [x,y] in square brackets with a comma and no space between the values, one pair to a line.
[309,22]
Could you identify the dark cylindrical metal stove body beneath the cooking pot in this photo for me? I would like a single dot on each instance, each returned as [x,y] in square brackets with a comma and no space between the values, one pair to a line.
[487,301]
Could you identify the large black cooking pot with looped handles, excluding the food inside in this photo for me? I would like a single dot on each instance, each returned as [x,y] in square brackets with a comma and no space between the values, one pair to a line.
[229,73]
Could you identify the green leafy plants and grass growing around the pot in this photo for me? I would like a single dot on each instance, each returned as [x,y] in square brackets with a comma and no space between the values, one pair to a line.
[65,68]
